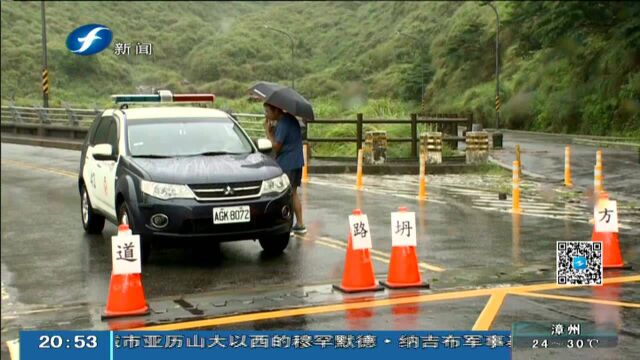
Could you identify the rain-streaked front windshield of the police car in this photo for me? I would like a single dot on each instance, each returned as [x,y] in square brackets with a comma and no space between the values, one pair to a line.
[184,137]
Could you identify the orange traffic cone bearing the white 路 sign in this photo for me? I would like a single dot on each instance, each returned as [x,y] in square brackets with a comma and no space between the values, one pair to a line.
[358,273]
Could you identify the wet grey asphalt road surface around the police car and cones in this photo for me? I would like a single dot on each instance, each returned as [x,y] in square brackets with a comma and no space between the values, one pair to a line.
[56,276]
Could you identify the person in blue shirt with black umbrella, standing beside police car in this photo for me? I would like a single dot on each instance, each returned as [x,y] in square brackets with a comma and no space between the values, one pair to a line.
[282,105]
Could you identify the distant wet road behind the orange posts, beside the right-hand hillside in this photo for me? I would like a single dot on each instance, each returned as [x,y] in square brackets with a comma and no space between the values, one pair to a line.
[544,155]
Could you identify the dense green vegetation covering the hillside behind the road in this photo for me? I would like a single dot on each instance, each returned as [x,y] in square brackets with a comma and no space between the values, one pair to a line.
[566,66]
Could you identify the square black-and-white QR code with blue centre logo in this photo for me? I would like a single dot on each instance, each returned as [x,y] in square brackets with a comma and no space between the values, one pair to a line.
[579,262]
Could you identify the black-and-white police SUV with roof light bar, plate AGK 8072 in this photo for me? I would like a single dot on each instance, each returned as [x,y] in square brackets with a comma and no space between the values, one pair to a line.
[182,172]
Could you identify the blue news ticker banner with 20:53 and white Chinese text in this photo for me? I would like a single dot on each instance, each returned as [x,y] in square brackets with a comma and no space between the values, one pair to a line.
[195,345]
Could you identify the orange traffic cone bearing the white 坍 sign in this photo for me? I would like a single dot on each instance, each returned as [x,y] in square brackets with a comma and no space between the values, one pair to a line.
[403,268]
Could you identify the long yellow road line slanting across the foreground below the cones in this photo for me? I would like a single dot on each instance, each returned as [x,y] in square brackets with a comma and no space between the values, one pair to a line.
[322,309]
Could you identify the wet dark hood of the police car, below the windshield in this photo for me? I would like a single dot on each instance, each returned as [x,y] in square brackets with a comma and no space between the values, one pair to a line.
[209,169]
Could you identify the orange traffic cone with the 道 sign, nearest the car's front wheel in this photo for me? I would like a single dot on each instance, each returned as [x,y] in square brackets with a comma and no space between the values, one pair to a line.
[126,295]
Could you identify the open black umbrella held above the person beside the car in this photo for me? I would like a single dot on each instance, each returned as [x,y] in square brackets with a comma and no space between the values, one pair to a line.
[285,98]
